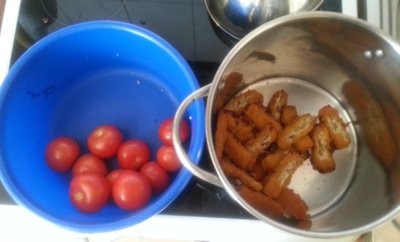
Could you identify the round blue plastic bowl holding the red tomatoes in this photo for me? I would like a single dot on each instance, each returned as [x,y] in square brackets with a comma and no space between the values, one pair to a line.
[74,80]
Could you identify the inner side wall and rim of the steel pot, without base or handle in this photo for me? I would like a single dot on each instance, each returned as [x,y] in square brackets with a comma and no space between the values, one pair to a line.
[328,50]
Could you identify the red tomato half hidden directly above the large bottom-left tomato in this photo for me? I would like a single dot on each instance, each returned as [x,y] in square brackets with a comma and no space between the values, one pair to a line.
[89,162]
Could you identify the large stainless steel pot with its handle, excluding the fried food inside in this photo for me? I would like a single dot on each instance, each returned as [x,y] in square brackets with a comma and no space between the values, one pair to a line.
[321,58]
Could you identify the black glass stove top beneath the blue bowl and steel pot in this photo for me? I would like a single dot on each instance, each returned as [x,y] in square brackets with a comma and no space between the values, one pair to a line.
[185,24]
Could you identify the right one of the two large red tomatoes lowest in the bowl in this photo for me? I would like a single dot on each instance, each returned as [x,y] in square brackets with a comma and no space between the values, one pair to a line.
[131,190]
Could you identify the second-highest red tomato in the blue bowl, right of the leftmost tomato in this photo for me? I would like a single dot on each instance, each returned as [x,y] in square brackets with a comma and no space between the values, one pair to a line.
[104,141]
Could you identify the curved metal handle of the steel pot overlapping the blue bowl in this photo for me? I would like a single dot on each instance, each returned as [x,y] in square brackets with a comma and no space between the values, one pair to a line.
[181,153]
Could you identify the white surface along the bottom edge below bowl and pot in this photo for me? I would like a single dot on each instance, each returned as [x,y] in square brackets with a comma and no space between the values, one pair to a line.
[18,224]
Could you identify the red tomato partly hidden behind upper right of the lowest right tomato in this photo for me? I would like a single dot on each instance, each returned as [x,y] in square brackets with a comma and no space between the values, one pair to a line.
[158,176]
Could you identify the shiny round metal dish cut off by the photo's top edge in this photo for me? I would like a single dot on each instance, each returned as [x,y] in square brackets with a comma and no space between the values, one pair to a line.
[238,17]
